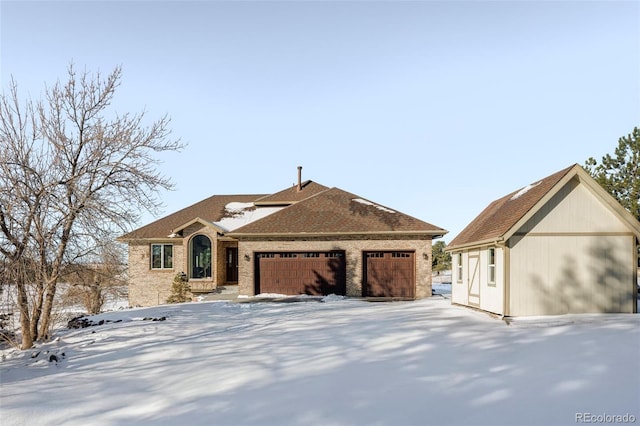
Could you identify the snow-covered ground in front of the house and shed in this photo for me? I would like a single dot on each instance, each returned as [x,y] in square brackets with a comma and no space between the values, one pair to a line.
[335,362]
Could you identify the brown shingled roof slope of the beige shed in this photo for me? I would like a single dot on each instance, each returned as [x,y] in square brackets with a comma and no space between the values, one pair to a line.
[502,214]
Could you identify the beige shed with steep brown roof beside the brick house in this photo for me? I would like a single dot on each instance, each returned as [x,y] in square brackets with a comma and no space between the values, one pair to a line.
[560,245]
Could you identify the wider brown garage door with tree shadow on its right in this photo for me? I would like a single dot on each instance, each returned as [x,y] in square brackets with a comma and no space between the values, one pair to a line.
[313,273]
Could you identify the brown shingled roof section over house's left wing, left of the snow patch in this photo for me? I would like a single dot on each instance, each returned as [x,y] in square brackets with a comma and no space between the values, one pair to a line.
[211,209]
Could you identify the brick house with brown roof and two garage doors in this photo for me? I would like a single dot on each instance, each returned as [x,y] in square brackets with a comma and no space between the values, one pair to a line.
[305,239]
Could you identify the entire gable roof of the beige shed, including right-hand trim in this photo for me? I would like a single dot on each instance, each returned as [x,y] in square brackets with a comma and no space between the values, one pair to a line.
[504,216]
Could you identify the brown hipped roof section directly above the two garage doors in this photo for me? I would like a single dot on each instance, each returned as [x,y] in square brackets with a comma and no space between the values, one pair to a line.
[334,211]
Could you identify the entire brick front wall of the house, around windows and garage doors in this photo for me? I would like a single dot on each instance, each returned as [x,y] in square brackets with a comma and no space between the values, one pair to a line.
[150,287]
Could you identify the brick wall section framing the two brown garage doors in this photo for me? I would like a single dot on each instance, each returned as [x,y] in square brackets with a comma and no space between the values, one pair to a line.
[354,258]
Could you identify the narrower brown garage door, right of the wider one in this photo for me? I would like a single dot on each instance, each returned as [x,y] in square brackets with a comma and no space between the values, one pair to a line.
[389,274]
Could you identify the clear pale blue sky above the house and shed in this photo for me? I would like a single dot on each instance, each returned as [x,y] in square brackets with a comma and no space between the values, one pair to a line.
[431,108]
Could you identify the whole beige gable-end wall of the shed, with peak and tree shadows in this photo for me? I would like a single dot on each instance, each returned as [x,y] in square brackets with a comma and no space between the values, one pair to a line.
[573,256]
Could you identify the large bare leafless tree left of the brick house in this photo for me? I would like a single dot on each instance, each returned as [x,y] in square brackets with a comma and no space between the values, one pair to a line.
[72,174]
